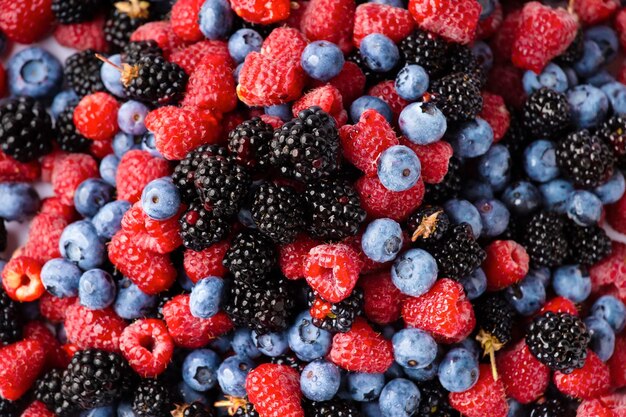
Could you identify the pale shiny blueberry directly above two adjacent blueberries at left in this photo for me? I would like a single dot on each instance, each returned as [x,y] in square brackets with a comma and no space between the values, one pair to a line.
[79,243]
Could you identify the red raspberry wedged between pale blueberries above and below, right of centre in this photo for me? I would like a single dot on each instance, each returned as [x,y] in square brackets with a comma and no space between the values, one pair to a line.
[380,202]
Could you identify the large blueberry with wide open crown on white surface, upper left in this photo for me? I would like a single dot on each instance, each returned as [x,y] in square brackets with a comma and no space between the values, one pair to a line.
[34,72]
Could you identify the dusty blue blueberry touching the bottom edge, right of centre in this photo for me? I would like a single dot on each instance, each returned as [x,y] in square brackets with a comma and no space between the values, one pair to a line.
[399,398]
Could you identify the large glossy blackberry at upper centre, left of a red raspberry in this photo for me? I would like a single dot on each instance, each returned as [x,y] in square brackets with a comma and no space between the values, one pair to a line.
[306,148]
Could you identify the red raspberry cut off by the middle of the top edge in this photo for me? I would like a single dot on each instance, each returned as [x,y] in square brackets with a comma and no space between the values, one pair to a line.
[330,20]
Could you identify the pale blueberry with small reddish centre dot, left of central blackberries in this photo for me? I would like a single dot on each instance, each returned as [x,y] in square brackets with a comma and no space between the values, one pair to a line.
[160,199]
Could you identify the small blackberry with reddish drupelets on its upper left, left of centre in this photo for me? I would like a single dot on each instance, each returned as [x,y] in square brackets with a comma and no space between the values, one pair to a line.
[200,228]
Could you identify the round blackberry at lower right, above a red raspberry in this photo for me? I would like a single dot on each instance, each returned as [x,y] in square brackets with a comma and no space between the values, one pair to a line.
[559,340]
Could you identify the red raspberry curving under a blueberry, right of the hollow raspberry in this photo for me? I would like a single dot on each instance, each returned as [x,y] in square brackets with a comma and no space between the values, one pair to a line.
[191,332]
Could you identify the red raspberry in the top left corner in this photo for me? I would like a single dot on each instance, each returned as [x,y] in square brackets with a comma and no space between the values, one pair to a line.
[26,21]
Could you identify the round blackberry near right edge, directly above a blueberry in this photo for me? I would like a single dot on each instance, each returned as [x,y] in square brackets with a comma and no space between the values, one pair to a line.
[585,159]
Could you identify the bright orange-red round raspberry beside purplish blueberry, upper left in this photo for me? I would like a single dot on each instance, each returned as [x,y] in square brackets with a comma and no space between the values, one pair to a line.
[95,116]
